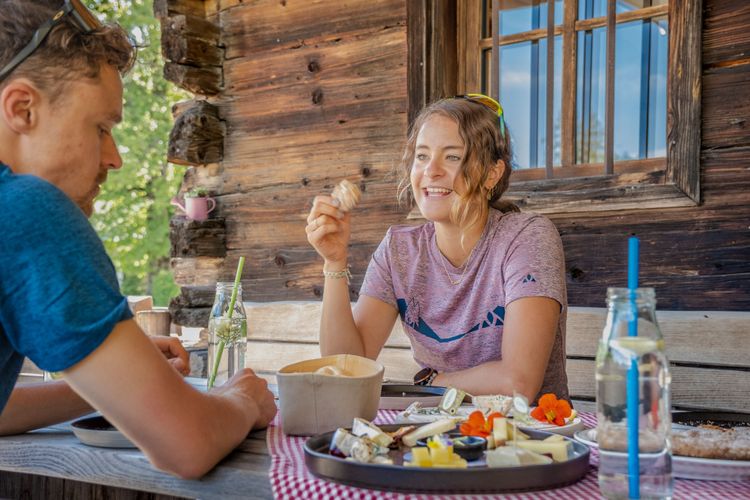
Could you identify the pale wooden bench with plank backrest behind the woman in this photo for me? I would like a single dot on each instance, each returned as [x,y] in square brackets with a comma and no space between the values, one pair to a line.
[709,351]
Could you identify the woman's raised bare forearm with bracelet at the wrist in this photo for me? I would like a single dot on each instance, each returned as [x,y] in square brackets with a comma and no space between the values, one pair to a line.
[338,332]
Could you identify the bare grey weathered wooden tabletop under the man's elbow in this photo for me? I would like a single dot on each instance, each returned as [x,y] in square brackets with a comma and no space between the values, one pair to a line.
[55,452]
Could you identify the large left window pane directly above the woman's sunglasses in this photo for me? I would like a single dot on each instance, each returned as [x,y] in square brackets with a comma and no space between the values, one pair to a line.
[523,94]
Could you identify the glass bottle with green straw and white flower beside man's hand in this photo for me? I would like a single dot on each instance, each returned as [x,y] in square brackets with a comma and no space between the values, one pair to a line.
[227,336]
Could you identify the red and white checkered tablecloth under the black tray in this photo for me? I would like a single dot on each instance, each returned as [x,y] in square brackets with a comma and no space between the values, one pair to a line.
[290,478]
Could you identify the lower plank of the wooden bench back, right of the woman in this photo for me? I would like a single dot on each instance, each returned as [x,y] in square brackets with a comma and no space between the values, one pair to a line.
[691,387]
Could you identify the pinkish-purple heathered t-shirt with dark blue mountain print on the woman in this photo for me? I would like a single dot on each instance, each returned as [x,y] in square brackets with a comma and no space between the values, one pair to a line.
[457,326]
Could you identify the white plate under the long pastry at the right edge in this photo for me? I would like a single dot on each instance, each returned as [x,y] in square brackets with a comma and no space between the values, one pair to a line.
[706,469]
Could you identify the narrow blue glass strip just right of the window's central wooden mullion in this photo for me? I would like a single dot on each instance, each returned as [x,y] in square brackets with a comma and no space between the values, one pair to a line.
[590,95]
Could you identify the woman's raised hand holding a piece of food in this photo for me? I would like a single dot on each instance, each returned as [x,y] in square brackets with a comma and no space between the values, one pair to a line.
[328,229]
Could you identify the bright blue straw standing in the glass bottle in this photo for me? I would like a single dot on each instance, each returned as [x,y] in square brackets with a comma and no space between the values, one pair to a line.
[632,381]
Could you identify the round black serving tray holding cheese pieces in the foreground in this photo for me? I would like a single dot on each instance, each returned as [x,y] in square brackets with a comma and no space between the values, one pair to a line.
[483,479]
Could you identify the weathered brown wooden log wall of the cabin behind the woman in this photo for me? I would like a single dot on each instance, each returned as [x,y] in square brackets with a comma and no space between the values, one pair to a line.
[315,91]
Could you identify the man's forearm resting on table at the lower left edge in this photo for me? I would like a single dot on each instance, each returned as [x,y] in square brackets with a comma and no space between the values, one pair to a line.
[32,406]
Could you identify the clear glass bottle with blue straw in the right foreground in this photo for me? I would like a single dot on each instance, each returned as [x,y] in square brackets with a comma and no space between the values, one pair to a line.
[628,313]
